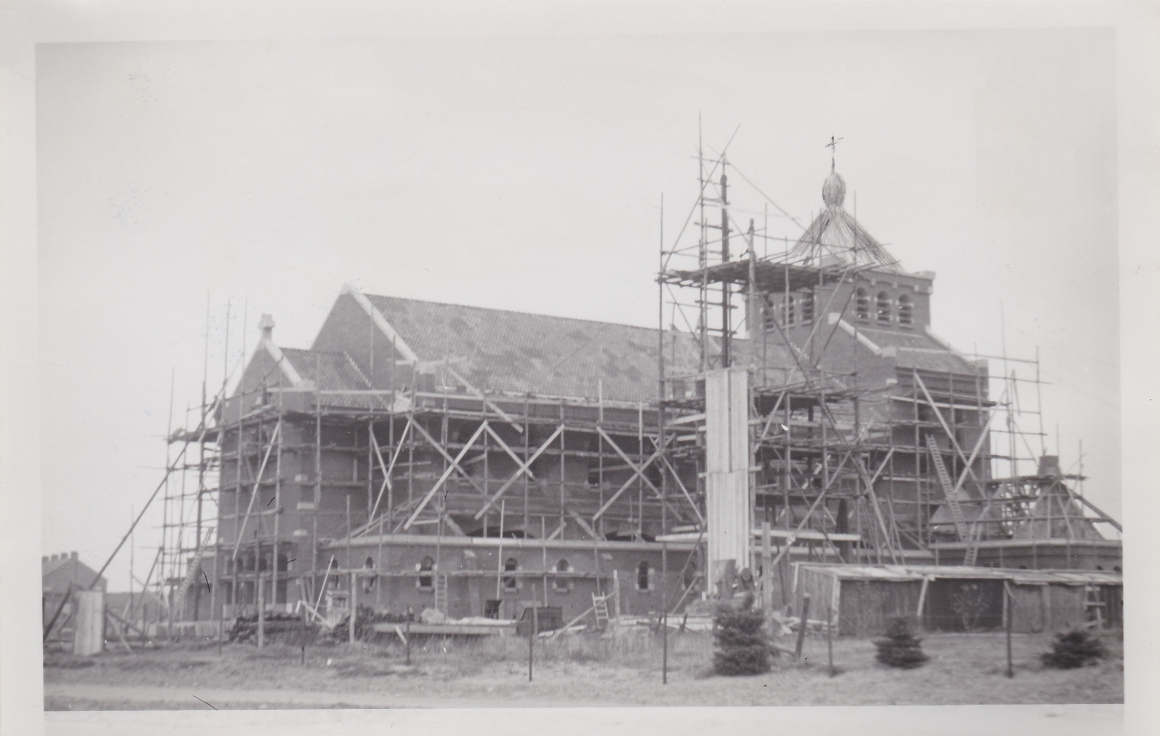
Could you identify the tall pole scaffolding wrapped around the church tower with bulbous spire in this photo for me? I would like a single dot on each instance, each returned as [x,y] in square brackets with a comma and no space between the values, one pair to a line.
[918,466]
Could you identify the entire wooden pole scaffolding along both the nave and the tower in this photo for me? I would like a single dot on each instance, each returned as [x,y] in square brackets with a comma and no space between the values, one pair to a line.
[282,478]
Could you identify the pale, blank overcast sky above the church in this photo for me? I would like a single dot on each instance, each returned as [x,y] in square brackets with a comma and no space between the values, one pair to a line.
[527,174]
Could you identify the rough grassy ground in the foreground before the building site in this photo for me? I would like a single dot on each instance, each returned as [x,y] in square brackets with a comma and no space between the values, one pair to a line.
[611,670]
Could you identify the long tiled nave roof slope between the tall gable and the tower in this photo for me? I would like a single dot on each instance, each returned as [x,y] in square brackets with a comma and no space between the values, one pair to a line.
[509,351]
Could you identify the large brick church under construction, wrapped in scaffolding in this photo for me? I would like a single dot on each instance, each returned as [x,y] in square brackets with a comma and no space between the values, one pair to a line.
[797,409]
